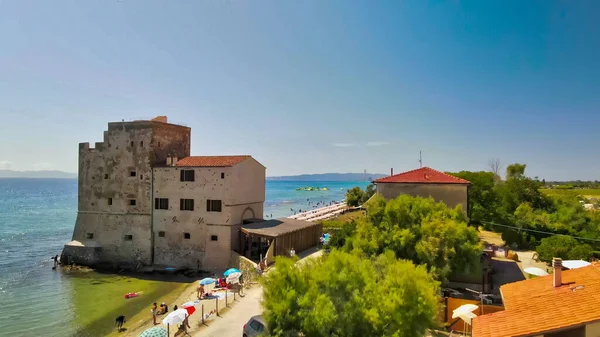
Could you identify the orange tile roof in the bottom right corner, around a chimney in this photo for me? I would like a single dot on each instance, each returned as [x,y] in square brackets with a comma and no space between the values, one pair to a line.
[535,307]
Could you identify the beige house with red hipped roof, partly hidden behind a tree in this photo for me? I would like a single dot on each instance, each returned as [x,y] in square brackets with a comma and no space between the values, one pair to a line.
[426,182]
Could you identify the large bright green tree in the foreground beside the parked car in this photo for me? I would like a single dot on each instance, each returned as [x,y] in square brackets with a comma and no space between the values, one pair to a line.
[343,295]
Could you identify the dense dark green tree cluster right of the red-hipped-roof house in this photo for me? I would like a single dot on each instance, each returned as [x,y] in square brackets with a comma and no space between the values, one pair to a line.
[526,214]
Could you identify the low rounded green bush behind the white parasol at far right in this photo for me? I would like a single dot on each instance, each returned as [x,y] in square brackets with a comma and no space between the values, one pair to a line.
[564,247]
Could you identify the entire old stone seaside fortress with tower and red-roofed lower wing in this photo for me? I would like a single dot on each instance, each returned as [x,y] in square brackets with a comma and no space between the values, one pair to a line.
[144,201]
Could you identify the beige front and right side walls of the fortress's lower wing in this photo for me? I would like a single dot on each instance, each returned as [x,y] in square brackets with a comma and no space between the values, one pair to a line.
[231,185]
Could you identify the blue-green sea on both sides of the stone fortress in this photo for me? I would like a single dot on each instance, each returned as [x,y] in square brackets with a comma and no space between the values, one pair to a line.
[37,217]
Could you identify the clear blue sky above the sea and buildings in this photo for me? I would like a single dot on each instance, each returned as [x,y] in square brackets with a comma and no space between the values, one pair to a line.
[310,86]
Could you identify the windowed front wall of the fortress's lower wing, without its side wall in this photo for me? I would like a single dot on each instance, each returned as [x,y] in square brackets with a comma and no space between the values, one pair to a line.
[174,249]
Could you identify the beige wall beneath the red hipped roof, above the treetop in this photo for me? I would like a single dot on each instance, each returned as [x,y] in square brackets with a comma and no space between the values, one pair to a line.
[451,194]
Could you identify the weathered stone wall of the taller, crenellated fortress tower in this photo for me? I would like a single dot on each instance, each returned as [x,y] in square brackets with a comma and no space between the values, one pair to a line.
[106,190]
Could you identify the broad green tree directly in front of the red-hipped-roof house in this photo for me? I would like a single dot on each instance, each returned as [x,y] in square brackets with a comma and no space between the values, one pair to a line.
[418,229]
